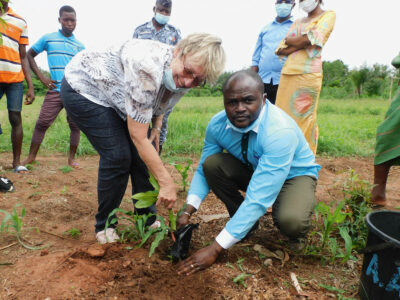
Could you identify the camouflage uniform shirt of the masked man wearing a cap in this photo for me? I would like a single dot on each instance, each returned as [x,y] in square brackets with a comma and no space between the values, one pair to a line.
[168,34]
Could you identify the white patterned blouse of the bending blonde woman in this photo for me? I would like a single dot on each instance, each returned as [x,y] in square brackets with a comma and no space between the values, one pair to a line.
[127,77]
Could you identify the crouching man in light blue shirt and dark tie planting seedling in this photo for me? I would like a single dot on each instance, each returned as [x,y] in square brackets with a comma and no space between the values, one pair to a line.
[255,147]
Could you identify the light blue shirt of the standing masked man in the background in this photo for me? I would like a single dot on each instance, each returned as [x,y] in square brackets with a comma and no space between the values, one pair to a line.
[264,57]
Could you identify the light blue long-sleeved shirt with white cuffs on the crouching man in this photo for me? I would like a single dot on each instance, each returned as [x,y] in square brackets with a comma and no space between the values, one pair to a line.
[277,151]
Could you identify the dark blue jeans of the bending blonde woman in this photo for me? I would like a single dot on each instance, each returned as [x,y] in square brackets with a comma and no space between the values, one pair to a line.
[119,159]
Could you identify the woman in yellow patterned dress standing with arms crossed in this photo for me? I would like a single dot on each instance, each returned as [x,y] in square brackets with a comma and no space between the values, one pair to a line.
[301,77]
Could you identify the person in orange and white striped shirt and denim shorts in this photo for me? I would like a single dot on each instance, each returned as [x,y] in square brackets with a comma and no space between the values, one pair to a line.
[14,68]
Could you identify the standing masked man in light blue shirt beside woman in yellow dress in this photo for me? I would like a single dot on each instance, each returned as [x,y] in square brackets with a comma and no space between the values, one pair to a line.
[265,62]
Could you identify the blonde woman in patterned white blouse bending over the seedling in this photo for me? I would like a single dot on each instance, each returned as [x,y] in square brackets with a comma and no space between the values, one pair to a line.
[114,95]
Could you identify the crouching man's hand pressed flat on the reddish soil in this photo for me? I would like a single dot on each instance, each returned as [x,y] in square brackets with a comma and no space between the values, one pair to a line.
[201,260]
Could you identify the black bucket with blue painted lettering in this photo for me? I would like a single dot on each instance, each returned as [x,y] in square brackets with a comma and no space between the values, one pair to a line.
[380,275]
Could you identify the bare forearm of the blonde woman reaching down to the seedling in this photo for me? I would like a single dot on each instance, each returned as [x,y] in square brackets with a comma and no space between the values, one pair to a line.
[150,157]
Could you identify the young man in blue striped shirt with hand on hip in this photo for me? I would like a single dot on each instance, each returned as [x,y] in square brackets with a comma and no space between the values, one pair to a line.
[61,46]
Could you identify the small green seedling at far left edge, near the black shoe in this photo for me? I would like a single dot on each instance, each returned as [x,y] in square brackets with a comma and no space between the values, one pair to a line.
[12,223]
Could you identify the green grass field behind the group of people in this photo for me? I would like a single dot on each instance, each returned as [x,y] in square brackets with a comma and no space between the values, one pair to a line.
[347,127]
